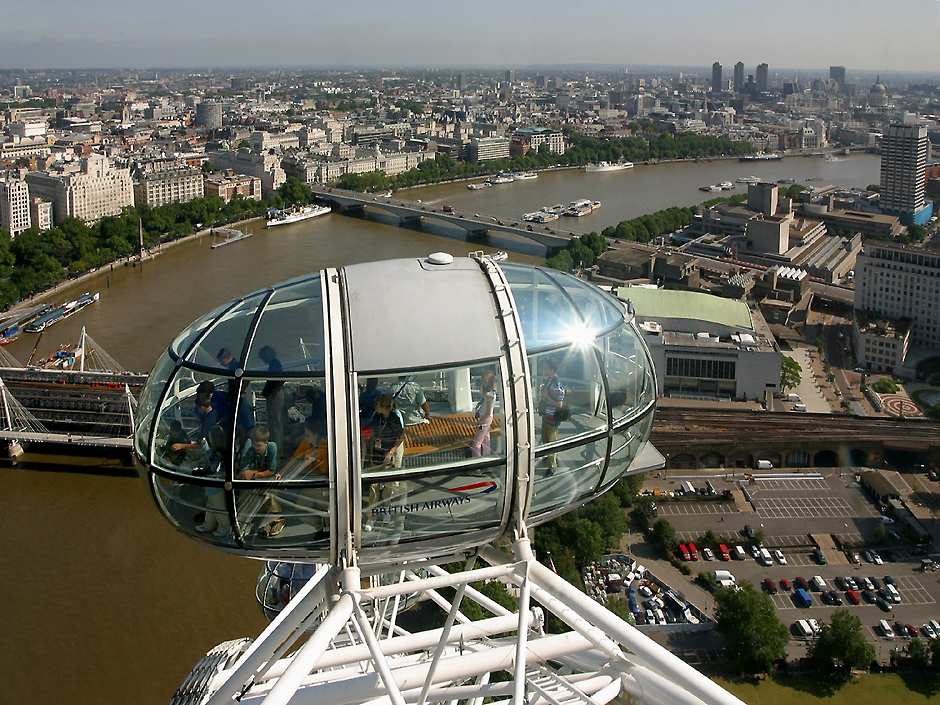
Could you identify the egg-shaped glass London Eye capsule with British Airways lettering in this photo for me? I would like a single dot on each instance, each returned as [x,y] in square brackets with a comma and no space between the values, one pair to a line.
[403,409]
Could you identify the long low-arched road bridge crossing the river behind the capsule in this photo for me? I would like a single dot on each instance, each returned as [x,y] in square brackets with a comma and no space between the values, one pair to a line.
[477,226]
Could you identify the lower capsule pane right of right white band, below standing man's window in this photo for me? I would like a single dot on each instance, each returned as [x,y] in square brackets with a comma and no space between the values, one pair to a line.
[564,477]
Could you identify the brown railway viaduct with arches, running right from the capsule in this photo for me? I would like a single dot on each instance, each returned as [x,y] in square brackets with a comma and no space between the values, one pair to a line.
[698,438]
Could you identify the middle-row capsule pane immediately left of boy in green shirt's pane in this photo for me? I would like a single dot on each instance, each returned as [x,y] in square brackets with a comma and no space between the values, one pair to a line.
[194,424]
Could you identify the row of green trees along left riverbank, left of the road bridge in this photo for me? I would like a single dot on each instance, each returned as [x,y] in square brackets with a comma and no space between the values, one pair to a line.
[34,261]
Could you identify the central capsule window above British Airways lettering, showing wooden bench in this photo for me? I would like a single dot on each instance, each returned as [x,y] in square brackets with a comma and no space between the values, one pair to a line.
[442,417]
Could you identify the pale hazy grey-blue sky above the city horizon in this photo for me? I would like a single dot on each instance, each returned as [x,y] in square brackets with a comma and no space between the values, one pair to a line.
[863,34]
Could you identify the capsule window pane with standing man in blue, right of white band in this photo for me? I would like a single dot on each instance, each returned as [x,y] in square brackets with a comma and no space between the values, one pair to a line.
[568,391]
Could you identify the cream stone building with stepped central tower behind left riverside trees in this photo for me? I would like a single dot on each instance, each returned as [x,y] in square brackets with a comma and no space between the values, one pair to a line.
[91,191]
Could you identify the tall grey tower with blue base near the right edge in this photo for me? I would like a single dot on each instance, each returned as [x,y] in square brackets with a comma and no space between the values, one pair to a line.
[904,169]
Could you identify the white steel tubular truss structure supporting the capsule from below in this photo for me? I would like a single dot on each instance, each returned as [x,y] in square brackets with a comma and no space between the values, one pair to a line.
[339,643]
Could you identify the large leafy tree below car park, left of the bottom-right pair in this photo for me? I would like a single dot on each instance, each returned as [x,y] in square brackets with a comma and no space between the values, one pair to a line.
[754,636]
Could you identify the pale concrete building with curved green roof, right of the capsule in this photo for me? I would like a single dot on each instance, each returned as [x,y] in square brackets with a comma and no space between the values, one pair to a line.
[705,346]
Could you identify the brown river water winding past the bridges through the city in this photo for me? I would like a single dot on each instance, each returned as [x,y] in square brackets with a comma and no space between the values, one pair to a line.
[106,603]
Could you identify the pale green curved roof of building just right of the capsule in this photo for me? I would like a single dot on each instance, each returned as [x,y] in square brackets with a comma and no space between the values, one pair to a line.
[667,303]
